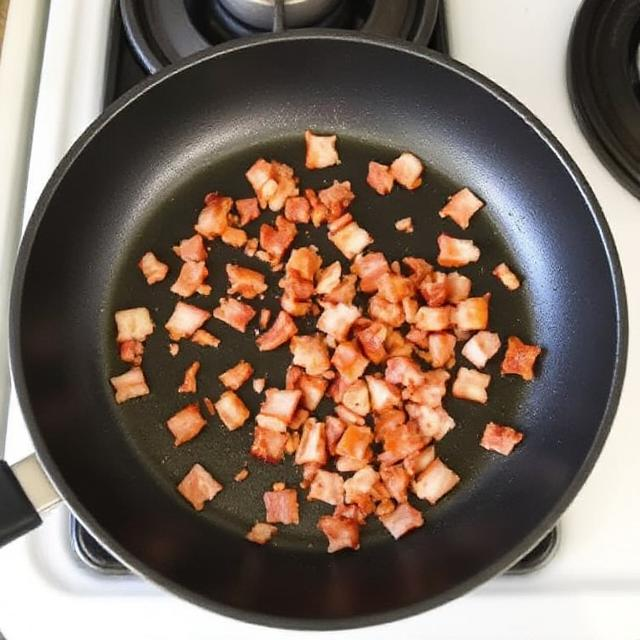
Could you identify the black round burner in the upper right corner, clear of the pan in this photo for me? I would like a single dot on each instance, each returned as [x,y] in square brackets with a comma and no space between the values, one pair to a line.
[604,83]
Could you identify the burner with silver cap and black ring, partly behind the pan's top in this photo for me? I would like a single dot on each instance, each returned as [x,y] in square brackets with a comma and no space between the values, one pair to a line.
[162,33]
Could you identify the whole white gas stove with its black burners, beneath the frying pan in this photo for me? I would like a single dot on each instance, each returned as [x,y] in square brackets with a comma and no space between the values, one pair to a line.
[584,578]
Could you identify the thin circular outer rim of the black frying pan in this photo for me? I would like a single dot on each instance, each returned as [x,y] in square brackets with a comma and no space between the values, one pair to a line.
[347,622]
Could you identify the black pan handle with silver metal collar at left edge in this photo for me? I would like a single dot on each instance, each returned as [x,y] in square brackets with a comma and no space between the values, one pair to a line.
[25,492]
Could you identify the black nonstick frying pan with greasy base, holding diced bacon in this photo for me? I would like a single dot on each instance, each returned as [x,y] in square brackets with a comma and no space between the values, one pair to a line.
[135,182]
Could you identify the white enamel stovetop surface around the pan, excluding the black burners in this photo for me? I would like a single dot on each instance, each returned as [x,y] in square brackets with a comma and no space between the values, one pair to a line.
[590,589]
